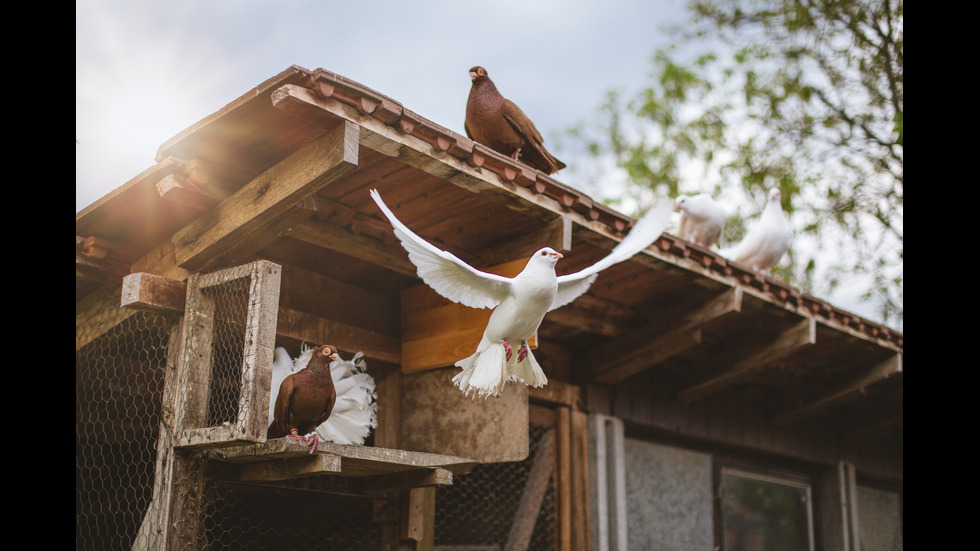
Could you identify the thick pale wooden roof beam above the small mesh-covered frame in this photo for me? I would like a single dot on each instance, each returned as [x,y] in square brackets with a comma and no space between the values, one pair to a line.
[256,214]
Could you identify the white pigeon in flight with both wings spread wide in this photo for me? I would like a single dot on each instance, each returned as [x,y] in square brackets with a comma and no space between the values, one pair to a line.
[520,303]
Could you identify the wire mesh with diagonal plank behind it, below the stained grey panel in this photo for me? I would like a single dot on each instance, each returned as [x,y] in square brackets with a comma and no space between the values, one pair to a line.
[482,507]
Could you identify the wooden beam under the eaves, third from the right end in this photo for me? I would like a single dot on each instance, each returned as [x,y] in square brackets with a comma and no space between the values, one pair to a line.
[624,356]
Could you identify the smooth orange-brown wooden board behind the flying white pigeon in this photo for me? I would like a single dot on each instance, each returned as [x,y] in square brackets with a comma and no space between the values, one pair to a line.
[437,332]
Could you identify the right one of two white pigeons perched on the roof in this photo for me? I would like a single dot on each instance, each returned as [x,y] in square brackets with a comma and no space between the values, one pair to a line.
[766,241]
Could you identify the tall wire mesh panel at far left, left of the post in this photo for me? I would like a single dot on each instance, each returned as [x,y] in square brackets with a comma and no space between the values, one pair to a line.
[118,388]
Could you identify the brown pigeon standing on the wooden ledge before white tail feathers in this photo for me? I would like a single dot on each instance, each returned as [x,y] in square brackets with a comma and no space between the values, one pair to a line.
[306,399]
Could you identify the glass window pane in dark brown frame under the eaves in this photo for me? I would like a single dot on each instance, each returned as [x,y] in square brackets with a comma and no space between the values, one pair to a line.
[764,513]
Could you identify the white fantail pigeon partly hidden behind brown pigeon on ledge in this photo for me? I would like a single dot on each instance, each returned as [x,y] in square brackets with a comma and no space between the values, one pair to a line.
[355,411]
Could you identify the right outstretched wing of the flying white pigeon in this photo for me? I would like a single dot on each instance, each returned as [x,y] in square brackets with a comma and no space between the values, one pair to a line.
[644,232]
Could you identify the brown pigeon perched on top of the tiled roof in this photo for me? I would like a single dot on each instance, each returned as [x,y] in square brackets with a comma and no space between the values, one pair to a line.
[496,122]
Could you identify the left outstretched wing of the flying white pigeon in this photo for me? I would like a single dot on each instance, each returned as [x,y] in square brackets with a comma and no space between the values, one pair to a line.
[444,272]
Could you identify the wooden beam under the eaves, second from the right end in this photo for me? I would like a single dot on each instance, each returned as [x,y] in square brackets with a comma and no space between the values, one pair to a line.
[800,335]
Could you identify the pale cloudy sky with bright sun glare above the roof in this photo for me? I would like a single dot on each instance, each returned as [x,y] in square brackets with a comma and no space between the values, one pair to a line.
[145,71]
